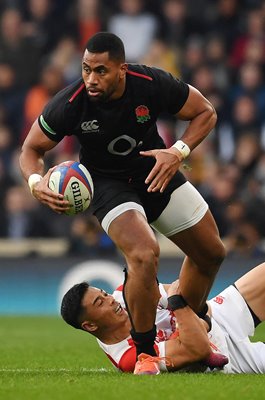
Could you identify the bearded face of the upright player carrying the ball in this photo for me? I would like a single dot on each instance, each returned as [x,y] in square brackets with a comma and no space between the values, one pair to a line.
[104,79]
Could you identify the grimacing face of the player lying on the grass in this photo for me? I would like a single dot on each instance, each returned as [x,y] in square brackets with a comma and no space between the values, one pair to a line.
[102,309]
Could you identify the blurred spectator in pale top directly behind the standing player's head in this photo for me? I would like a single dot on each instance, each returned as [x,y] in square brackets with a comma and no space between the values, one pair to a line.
[131,19]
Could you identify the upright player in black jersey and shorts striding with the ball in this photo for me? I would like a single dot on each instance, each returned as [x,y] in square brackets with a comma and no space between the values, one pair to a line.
[112,110]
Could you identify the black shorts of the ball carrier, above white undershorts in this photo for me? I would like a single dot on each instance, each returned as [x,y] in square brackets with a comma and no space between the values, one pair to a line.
[109,193]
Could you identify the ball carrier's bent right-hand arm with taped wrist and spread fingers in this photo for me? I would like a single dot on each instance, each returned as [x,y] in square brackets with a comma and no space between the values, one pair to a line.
[202,118]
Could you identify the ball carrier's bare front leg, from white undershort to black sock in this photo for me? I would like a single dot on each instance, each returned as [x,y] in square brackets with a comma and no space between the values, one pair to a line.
[132,234]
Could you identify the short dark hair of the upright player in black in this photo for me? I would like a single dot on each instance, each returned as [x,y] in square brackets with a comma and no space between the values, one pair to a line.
[103,42]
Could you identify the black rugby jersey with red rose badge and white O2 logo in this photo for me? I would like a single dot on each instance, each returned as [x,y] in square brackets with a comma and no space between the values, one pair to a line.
[111,134]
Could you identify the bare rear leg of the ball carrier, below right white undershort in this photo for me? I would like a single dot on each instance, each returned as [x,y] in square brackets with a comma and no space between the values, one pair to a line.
[205,253]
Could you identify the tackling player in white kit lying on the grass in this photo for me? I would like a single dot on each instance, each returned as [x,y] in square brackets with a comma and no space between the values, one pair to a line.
[182,338]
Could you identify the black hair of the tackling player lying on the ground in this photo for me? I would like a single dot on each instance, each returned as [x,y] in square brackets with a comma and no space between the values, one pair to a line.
[71,307]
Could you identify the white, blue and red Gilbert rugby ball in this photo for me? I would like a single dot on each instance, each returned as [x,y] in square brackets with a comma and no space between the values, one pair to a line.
[74,182]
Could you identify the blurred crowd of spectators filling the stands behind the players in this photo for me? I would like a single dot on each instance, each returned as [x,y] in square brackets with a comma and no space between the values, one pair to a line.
[216,46]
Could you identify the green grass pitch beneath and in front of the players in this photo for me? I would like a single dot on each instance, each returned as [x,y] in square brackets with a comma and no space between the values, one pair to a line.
[44,359]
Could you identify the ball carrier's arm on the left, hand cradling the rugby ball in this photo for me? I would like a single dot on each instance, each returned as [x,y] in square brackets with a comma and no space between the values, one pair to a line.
[31,161]
